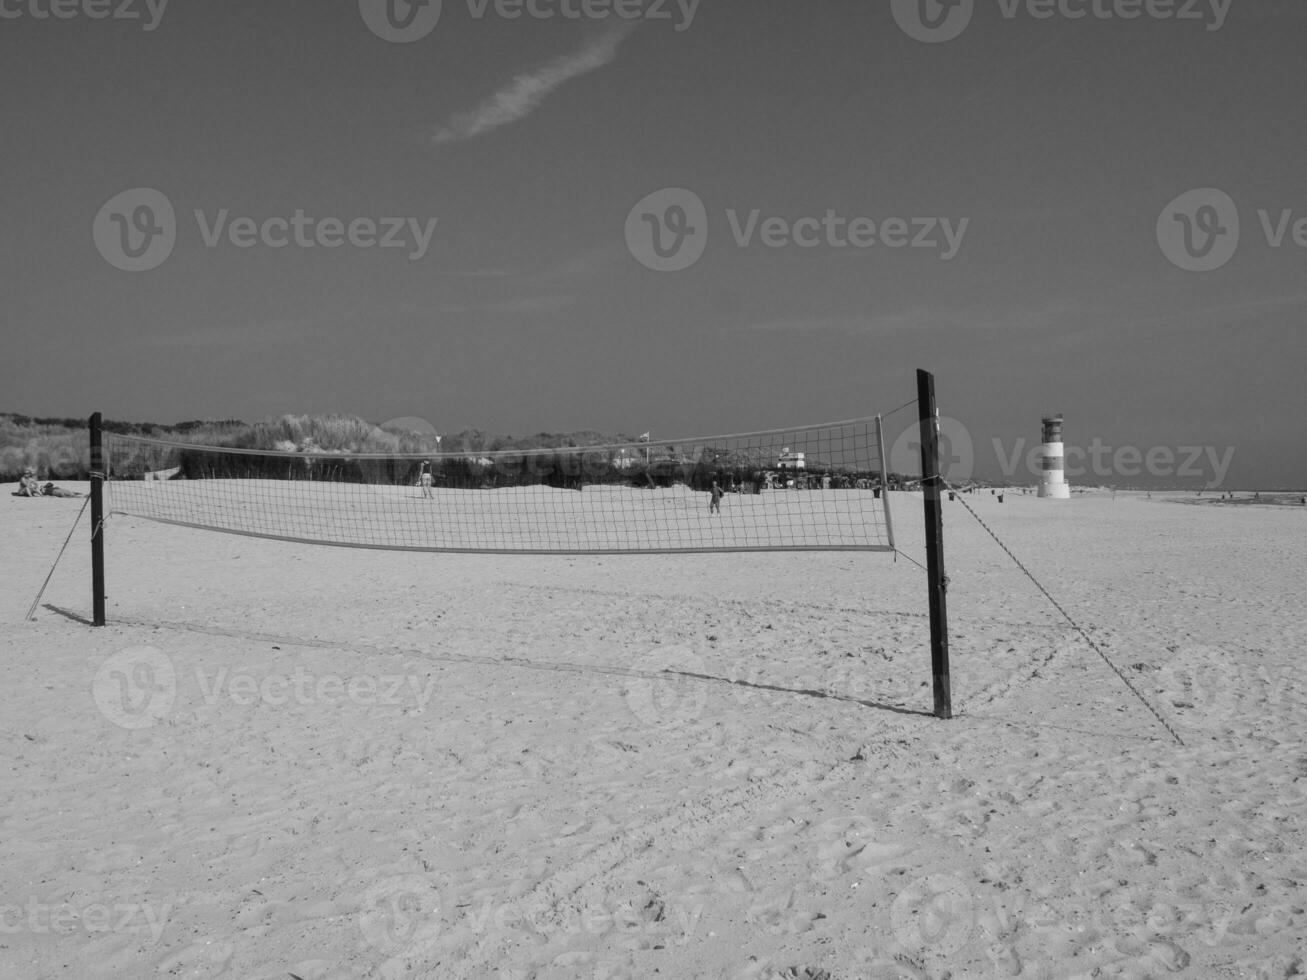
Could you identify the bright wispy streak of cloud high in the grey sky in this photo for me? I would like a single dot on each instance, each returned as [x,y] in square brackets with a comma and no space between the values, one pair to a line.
[527,92]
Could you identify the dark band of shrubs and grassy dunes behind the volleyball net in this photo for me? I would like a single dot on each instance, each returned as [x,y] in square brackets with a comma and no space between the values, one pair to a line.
[343,449]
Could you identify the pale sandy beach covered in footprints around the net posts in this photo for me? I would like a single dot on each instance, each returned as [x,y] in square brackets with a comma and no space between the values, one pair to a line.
[288,761]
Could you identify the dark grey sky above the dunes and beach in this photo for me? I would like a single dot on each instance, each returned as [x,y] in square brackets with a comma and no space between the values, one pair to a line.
[682,218]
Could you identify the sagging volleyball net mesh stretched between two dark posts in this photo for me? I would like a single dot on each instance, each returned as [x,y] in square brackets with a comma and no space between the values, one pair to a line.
[815,488]
